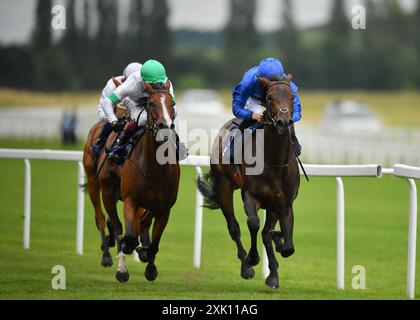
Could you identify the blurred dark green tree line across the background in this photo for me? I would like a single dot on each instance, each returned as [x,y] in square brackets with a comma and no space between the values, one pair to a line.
[334,56]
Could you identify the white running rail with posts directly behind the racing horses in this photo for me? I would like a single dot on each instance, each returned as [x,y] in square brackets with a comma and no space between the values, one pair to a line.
[336,171]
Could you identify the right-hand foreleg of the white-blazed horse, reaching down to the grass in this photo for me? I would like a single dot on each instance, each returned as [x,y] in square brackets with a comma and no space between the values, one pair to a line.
[161,220]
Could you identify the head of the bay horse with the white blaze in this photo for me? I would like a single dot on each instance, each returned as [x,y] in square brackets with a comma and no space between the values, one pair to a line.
[160,106]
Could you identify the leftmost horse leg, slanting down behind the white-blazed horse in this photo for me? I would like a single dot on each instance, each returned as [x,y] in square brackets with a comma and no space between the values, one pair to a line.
[94,194]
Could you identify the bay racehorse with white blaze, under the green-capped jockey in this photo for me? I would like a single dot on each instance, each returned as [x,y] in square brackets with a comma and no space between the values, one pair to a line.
[147,183]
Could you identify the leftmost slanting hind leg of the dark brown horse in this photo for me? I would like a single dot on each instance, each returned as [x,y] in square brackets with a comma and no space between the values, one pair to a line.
[225,197]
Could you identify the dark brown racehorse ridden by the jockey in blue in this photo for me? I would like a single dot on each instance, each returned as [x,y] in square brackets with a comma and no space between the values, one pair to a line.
[274,189]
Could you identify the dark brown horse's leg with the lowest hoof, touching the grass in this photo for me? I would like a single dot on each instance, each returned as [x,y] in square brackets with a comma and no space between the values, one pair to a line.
[272,280]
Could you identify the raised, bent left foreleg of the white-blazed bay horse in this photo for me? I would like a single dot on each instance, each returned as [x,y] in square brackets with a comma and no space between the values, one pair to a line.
[132,214]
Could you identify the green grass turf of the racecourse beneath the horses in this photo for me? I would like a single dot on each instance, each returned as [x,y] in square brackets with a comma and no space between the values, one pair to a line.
[376,237]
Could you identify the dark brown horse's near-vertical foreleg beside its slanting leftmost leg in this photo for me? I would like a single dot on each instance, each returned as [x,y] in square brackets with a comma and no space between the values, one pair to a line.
[251,206]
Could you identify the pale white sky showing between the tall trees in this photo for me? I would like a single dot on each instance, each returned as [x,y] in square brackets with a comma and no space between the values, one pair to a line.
[16,17]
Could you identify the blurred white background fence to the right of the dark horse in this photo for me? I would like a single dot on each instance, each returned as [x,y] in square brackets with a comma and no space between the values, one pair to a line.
[386,147]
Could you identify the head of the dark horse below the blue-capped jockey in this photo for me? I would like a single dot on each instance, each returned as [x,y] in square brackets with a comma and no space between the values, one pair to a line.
[279,100]
